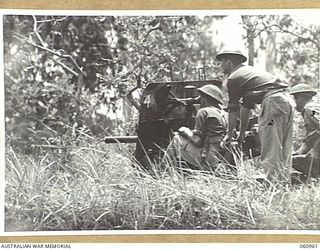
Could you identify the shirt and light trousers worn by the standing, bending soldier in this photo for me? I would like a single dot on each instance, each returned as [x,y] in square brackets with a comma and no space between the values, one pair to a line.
[248,86]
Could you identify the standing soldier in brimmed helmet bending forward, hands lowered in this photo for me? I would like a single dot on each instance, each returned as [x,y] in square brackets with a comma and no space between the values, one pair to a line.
[247,87]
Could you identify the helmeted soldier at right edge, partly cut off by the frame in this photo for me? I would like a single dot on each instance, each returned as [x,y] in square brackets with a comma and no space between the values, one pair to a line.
[306,158]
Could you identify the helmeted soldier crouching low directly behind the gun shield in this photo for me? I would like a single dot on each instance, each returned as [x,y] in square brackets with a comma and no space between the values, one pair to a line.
[201,147]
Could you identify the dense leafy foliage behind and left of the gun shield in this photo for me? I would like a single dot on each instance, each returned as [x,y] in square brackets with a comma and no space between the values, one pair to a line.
[60,69]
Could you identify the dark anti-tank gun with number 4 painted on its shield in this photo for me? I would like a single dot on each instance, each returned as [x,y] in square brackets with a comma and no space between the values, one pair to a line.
[164,108]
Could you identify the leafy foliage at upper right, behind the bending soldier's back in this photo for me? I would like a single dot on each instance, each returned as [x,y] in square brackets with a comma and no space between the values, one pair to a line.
[297,47]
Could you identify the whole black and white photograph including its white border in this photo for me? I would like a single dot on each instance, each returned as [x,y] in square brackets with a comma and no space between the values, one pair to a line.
[160,121]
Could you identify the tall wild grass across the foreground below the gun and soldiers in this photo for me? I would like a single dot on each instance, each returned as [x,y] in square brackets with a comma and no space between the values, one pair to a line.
[95,186]
